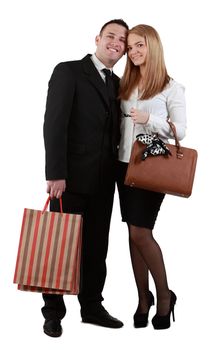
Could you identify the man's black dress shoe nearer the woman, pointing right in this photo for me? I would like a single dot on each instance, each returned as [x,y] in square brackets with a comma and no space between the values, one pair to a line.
[101,317]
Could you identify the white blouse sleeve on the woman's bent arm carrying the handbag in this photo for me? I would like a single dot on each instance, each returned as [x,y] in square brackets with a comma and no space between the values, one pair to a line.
[176,109]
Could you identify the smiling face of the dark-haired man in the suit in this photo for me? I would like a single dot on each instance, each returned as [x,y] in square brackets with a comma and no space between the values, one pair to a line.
[111,44]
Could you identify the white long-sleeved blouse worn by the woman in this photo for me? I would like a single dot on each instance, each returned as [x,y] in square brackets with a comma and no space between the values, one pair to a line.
[168,103]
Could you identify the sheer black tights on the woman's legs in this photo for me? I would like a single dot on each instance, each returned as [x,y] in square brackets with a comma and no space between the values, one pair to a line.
[146,256]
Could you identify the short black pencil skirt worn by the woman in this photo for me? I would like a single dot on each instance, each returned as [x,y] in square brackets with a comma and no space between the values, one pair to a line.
[138,207]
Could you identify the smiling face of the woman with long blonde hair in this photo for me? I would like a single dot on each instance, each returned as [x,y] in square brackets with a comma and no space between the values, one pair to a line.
[136,49]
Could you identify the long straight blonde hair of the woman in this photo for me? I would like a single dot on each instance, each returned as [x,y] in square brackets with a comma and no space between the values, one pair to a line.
[156,77]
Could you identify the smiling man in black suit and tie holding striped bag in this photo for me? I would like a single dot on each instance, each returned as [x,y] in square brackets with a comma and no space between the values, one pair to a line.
[81,134]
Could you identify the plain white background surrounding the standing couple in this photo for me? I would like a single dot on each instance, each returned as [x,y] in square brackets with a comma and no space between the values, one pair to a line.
[35,36]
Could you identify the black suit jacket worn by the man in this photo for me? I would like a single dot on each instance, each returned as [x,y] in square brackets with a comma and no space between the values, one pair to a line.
[76,126]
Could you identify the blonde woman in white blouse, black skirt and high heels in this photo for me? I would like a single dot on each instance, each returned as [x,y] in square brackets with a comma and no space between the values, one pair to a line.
[148,96]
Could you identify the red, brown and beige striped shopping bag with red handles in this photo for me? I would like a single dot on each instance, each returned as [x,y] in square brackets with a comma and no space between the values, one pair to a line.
[49,252]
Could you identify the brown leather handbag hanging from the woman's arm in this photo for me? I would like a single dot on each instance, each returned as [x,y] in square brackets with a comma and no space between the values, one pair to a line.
[172,173]
